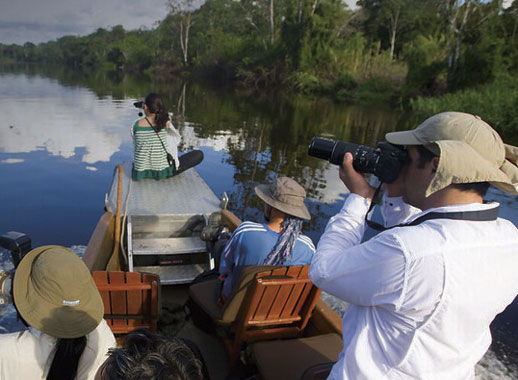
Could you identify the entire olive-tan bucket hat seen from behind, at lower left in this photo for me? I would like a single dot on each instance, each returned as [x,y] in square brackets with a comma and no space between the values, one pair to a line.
[54,292]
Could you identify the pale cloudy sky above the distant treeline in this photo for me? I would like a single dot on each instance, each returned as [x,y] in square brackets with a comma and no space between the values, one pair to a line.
[44,20]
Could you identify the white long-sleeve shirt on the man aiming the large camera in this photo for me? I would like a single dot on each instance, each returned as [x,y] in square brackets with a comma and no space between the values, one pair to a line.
[422,297]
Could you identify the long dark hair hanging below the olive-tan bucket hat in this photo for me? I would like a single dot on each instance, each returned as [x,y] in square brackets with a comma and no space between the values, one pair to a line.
[66,359]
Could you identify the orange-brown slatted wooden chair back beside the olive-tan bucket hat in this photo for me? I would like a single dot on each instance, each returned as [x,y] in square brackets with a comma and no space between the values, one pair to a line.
[131,299]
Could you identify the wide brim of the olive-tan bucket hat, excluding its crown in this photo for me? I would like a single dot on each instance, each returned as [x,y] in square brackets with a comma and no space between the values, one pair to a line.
[55,320]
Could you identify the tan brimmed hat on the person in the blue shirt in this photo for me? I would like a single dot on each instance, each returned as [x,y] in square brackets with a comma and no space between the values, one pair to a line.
[286,195]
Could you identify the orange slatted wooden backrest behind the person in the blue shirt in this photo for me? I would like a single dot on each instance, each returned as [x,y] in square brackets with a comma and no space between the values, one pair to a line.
[277,305]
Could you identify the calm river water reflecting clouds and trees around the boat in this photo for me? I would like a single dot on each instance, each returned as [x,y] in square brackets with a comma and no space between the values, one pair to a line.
[63,132]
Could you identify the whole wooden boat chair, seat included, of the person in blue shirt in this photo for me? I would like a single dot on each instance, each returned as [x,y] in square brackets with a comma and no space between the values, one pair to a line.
[268,303]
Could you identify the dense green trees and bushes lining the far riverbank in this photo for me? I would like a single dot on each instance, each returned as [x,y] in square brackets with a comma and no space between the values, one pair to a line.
[384,48]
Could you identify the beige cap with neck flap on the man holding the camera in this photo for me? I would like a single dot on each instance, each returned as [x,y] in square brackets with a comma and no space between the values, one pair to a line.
[469,150]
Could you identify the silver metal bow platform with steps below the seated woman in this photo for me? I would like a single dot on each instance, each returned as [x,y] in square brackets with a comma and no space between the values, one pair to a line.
[164,221]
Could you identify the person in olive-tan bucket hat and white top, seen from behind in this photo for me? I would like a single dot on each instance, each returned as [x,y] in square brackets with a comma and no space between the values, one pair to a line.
[57,299]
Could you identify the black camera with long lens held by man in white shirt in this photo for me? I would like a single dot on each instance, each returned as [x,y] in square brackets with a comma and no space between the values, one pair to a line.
[385,161]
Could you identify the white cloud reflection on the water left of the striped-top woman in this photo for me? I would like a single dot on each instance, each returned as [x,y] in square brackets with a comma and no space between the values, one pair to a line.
[65,121]
